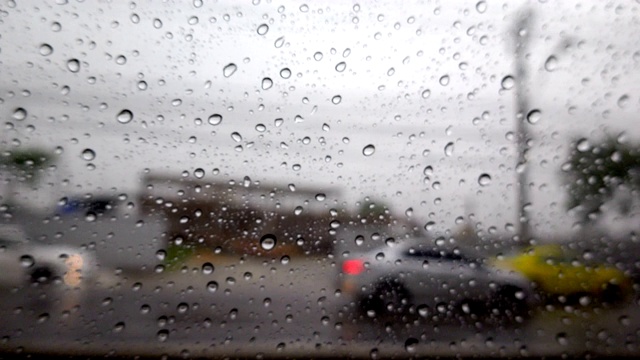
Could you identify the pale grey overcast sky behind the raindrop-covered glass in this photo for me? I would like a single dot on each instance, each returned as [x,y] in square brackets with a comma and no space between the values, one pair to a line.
[409,78]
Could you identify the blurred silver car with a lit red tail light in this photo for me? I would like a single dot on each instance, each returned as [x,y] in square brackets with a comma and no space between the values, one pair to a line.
[431,281]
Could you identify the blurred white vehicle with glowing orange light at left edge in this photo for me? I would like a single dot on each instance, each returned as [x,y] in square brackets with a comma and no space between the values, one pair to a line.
[25,263]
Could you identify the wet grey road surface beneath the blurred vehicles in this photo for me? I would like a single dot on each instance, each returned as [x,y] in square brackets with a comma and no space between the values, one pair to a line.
[272,309]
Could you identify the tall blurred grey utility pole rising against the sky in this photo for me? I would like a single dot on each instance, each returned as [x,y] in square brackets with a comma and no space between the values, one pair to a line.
[521,33]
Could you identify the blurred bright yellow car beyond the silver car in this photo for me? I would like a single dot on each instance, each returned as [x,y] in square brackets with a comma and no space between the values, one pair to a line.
[558,272]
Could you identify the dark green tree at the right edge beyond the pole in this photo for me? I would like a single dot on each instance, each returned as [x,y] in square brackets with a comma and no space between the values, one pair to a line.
[597,171]
